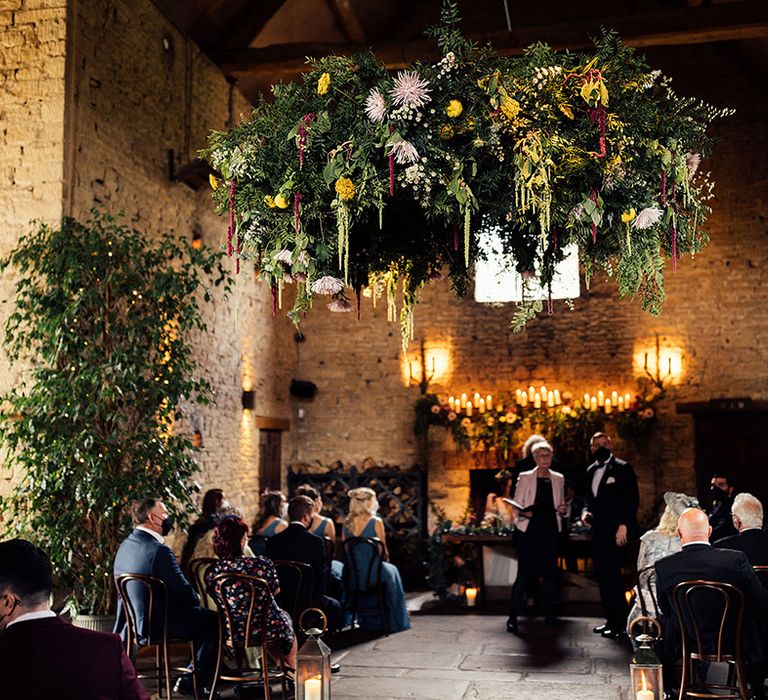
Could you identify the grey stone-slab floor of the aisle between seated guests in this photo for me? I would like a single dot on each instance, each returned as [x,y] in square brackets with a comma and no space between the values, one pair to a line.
[467,657]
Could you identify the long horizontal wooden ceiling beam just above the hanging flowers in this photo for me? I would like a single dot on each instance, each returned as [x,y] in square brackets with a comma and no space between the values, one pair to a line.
[713,23]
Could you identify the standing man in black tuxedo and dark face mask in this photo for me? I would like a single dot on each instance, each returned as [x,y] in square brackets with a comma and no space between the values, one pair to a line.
[611,502]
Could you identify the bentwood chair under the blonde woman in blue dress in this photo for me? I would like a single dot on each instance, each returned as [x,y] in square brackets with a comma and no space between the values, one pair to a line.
[363,579]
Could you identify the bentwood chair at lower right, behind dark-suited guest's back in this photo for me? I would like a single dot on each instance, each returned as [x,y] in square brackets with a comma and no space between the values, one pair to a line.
[710,615]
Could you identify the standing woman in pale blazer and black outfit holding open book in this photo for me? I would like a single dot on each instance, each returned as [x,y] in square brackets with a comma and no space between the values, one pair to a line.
[541,506]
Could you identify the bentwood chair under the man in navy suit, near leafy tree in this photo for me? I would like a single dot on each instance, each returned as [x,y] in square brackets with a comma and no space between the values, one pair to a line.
[144,599]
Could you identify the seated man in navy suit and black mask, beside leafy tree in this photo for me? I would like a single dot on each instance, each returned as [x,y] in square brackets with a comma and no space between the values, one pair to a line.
[143,552]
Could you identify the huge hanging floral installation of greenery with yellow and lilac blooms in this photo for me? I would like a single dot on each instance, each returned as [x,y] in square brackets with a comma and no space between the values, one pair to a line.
[357,179]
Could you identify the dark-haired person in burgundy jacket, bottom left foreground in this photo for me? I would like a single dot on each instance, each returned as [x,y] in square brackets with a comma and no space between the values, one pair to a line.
[41,656]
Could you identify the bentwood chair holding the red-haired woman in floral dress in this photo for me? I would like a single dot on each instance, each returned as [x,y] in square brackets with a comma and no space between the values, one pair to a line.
[235,594]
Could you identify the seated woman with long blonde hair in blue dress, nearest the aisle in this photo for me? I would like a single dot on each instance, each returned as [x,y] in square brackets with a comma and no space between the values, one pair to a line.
[363,522]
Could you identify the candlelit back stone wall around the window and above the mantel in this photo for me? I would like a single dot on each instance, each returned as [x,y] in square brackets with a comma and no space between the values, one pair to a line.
[715,312]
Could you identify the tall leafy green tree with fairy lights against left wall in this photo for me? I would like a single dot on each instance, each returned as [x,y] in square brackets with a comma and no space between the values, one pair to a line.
[104,317]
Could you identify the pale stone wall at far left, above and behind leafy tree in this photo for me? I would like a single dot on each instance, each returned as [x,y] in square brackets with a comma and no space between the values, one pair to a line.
[32,67]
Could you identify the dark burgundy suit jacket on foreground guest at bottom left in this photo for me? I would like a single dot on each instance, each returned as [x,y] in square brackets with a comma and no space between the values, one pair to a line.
[49,658]
